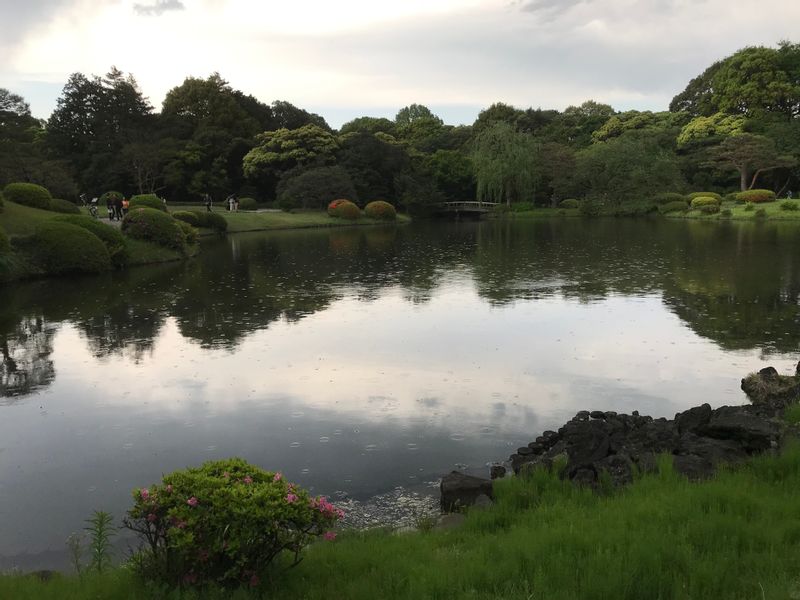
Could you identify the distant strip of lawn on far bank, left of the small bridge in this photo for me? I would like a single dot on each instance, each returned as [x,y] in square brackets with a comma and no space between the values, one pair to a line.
[261,221]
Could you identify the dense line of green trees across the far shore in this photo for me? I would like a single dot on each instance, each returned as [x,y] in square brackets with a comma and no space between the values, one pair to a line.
[735,126]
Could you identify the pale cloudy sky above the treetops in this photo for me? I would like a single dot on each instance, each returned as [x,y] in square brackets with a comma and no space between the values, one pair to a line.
[352,58]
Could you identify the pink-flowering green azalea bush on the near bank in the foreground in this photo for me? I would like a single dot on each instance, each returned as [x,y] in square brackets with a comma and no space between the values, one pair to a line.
[224,522]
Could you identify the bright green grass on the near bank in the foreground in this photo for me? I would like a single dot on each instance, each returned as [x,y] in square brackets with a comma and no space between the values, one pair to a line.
[734,537]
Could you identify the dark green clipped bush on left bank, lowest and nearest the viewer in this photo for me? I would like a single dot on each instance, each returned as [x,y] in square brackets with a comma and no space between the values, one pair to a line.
[60,248]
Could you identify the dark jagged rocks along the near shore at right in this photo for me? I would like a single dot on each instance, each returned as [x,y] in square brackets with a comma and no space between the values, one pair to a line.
[597,448]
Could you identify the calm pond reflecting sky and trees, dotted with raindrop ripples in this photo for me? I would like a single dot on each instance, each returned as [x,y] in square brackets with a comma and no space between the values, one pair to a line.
[366,362]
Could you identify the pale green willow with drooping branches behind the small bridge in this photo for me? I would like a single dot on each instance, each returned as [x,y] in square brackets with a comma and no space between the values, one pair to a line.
[505,164]
